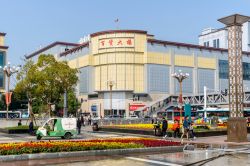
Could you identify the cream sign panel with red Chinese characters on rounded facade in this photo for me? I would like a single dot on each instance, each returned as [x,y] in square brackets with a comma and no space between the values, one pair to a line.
[116,42]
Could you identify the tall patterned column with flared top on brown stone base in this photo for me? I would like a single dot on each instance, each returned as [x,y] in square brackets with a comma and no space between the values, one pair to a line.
[237,128]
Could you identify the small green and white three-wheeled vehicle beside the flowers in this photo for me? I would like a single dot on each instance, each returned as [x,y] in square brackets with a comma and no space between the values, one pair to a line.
[58,127]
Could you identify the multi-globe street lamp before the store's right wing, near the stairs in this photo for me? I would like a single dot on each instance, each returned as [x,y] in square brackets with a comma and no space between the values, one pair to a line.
[180,77]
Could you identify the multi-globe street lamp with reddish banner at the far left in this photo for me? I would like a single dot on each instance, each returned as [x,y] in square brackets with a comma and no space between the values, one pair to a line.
[8,71]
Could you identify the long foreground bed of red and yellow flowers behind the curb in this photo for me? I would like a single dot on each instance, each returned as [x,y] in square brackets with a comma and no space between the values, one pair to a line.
[82,145]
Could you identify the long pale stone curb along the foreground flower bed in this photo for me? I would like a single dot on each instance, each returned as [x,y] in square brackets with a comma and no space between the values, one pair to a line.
[89,153]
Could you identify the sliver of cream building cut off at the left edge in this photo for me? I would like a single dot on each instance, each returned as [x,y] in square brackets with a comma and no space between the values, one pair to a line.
[3,54]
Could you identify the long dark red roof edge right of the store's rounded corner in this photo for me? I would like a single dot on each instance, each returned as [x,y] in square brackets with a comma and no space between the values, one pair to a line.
[191,46]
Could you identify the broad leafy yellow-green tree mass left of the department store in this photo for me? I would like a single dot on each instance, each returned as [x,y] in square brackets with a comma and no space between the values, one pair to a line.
[45,82]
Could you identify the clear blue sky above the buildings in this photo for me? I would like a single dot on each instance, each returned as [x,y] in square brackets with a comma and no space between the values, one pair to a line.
[30,24]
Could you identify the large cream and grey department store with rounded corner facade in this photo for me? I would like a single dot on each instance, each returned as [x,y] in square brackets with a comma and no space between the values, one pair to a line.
[140,67]
